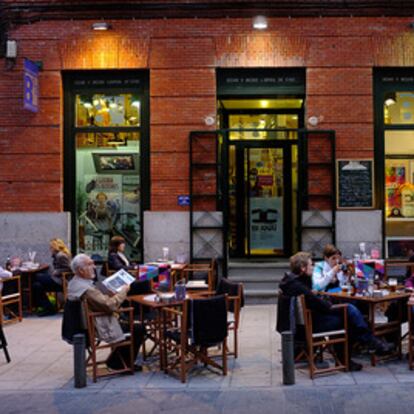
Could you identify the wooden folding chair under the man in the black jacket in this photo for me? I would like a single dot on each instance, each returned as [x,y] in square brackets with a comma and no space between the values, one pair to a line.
[324,340]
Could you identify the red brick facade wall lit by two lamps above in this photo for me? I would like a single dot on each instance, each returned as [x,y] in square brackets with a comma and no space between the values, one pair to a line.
[182,55]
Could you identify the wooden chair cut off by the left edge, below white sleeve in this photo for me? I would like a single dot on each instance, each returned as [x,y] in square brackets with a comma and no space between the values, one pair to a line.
[10,299]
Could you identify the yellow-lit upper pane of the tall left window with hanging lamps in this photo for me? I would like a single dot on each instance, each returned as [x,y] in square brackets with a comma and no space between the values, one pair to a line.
[101,110]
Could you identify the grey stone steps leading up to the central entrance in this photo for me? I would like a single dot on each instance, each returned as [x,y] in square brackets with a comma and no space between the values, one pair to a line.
[260,278]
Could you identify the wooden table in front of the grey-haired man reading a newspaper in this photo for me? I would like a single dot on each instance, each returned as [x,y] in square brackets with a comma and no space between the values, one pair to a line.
[147,300]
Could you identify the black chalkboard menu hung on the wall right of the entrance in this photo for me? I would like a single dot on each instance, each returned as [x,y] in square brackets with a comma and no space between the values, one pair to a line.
[355,184]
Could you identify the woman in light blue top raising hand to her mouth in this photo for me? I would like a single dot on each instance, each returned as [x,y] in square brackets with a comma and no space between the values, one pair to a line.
[328,274]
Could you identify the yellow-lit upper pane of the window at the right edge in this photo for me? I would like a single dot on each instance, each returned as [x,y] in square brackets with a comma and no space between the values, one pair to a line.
[399,108]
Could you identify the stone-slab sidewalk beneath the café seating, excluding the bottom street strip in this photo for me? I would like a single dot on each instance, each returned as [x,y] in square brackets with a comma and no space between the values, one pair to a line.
[42,361]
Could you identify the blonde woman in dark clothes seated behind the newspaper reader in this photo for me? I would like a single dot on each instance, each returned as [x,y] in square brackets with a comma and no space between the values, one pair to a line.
[51,281]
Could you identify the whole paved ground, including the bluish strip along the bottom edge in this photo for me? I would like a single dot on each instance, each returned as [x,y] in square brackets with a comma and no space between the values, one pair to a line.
[41,373]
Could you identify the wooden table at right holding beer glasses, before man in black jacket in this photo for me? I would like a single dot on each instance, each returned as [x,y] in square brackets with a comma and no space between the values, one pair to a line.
[393,327]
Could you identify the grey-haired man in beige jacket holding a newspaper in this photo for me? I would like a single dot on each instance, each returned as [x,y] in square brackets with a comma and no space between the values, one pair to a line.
[81,287]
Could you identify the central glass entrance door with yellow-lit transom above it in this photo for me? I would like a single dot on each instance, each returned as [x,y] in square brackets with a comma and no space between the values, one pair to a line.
[263,174]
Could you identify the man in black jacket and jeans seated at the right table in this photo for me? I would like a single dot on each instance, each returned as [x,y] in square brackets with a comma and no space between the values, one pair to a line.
[299,282]
